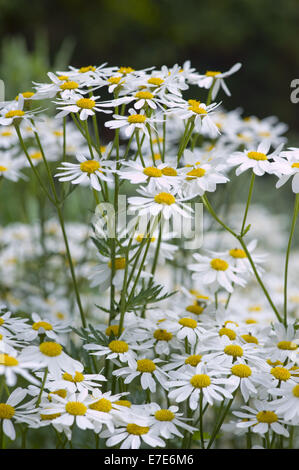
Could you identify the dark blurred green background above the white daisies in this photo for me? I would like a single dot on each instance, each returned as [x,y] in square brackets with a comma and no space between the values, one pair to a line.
[43,35]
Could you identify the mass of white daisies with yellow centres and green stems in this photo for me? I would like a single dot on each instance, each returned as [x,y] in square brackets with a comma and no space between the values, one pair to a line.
[121,329]
